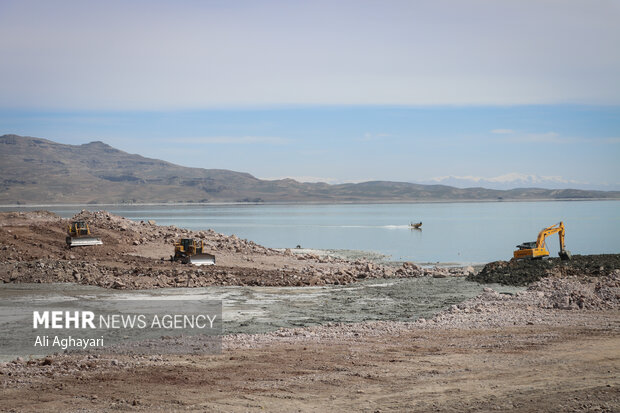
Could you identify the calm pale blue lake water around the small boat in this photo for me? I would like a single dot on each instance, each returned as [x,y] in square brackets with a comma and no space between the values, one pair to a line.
[451,232]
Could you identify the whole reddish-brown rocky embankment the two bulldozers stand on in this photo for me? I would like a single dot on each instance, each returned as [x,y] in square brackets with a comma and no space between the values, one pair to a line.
[136,255]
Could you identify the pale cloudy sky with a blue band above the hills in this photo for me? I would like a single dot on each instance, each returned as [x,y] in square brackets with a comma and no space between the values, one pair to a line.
[334,91]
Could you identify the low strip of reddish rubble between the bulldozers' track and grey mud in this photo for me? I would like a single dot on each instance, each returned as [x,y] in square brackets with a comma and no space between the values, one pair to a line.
[139,273]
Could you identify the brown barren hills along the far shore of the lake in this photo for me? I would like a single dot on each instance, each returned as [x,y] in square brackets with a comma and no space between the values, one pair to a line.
[39,171]
